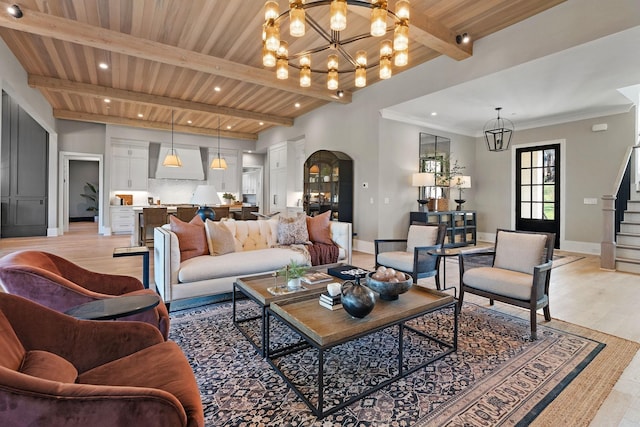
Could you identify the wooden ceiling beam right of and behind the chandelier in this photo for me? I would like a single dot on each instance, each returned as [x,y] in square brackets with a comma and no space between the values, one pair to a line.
[431,34]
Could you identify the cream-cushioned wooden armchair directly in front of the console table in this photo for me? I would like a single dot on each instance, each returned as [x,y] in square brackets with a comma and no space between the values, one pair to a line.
[410,255]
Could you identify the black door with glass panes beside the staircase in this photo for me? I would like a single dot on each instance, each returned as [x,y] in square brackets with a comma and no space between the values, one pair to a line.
[538,189]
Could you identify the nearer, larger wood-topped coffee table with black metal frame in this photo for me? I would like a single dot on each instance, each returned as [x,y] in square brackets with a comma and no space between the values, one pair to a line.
[324,329]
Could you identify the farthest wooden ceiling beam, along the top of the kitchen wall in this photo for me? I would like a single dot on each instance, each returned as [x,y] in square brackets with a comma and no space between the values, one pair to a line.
[112,120]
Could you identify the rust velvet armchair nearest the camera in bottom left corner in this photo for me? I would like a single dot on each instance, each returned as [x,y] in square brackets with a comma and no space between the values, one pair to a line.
[59,371]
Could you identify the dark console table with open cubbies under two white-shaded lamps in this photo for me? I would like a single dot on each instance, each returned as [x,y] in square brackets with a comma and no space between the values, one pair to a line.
[461,225]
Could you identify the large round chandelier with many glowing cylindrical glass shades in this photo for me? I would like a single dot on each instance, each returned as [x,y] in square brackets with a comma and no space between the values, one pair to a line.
[275,50]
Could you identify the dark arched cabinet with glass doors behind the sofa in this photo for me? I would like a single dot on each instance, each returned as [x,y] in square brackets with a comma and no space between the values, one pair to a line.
[328,185]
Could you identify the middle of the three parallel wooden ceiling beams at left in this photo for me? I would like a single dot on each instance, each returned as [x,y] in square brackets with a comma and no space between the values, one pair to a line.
[58,85]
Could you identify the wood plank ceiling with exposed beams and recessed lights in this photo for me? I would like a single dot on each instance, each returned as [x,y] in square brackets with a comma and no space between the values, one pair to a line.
[166,55]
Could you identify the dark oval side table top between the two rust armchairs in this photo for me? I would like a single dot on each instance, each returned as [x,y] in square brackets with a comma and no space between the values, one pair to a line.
[114,308]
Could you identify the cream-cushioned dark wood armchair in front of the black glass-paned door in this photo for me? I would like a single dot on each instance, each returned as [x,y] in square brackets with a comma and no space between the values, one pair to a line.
[519,275]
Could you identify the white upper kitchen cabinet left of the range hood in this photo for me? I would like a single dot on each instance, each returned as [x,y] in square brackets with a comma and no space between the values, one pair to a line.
[129,167]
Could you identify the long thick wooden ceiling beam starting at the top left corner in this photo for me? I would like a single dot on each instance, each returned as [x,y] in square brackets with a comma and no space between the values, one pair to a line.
[46,25]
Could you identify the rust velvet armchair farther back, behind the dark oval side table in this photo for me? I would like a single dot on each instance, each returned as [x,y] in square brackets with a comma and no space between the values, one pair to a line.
[59,284]
